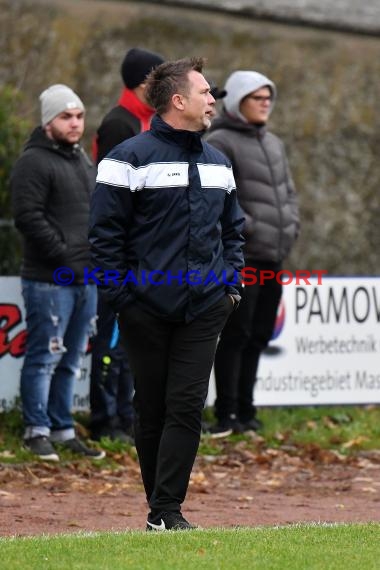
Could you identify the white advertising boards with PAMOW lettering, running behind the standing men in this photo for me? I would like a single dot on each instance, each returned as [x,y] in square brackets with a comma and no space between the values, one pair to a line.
[325,348]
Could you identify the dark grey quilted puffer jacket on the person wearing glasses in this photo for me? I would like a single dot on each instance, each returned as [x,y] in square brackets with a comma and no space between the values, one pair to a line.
[264,185]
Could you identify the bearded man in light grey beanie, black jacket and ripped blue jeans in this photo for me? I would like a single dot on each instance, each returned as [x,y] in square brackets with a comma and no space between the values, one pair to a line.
[51,184]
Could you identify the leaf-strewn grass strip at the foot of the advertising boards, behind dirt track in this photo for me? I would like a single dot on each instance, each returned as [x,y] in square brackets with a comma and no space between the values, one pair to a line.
[346,429]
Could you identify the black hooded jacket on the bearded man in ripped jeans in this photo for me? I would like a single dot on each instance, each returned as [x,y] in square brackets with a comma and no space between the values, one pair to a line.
[51,187]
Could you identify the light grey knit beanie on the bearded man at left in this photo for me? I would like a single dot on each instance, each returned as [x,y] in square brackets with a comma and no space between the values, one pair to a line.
[56,99]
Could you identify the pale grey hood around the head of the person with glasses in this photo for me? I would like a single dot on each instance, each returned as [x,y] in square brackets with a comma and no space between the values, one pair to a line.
[240,84]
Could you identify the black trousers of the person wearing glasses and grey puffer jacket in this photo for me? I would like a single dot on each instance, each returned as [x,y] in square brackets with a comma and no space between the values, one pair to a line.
[246,334]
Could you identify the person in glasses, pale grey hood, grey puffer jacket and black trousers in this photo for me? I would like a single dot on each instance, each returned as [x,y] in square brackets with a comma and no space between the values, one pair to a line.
[267,196]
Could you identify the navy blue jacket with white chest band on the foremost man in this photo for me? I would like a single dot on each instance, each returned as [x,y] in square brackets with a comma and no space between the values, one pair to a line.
[166,221]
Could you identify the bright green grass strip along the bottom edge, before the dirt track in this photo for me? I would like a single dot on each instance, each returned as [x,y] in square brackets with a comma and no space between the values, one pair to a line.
[298,547]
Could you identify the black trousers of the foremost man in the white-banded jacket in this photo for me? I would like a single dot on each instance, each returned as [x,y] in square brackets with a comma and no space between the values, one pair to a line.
[171,364]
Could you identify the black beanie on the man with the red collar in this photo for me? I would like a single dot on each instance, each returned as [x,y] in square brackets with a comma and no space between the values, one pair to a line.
[137,64]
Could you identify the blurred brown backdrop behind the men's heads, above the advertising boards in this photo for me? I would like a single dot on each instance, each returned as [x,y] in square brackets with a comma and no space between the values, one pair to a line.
[326,112]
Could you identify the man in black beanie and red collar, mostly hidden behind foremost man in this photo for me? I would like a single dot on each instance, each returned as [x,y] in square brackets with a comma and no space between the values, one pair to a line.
[111,384]
